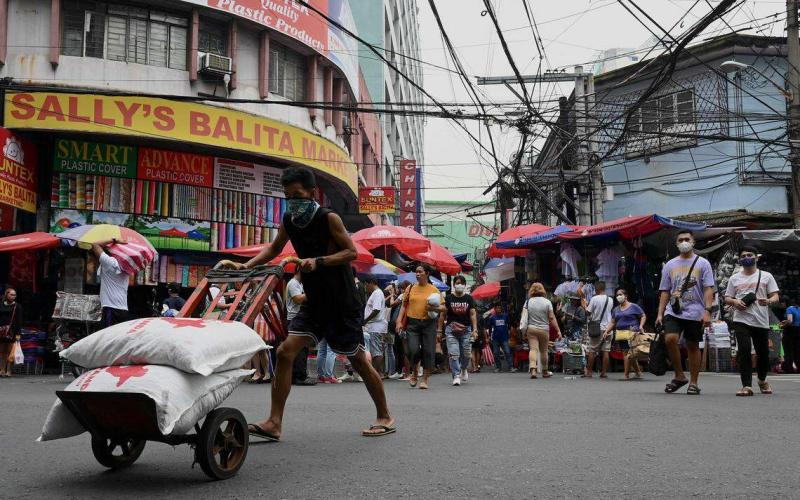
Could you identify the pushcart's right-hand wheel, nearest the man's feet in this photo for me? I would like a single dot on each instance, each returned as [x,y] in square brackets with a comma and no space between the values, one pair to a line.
[222,443]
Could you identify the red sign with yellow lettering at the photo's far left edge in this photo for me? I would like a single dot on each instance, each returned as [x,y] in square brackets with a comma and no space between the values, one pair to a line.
[17,172]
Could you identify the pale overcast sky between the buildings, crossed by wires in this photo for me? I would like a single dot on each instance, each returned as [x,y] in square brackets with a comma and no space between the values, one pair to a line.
[573,32]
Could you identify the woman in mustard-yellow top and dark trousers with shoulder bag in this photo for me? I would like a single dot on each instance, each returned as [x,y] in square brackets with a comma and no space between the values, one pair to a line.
[421,327]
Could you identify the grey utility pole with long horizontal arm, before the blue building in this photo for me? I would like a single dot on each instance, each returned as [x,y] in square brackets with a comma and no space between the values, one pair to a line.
[590,191]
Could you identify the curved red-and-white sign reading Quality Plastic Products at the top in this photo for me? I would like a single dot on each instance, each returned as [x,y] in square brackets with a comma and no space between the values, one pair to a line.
[300,22]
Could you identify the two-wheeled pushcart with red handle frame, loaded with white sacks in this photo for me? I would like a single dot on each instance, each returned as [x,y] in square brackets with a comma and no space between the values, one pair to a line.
[121,423]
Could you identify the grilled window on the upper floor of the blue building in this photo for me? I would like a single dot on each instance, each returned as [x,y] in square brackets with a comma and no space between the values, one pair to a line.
[661,124]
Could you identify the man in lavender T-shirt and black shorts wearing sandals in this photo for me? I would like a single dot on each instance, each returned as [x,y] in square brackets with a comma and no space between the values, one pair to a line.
[684,307]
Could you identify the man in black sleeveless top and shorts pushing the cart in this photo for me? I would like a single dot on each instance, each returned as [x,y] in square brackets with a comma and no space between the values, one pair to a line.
[331,311]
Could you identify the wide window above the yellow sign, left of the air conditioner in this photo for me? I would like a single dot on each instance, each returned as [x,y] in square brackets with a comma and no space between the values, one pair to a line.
[123,33]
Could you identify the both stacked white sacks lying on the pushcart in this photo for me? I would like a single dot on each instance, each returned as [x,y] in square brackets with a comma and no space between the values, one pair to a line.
[187,366]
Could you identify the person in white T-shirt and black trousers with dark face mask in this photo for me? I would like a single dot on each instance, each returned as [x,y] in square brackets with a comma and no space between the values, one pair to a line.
[751,292]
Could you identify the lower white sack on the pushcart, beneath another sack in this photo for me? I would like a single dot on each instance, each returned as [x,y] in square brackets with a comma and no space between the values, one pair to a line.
[181,399]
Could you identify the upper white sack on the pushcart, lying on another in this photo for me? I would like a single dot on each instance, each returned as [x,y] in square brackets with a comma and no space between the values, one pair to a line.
[188,344]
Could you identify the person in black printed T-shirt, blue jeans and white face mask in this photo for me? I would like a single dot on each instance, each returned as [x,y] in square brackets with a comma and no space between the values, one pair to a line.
[457,323]
